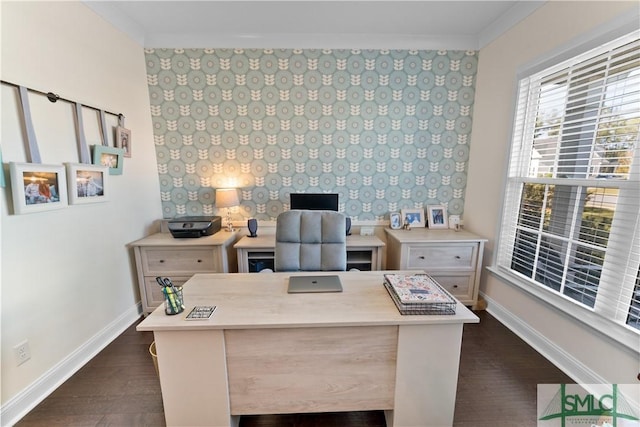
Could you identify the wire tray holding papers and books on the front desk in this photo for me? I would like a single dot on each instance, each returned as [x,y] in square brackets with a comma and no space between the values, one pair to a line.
[418,294]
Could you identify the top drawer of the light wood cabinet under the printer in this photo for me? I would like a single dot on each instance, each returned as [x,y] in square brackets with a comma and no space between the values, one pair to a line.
[187,261]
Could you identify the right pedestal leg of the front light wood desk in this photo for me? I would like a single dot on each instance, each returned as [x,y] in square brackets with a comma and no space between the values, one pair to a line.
[426,375]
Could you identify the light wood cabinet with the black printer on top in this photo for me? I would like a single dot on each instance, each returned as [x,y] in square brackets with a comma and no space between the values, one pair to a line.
[163,255]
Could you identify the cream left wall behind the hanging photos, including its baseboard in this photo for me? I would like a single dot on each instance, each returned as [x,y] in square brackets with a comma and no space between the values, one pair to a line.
[68,283]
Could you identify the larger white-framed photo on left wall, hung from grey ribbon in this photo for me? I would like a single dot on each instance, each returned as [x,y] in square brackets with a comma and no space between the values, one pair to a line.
[36,187]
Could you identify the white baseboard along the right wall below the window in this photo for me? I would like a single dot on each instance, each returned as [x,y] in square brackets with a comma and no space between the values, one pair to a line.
[564,361]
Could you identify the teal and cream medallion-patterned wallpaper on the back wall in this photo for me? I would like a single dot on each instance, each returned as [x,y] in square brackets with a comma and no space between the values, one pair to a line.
[386,129]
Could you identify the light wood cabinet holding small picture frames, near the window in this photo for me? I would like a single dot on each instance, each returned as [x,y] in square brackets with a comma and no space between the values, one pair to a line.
[452,258]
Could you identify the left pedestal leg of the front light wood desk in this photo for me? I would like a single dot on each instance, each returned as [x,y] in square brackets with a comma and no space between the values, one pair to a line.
[193,378]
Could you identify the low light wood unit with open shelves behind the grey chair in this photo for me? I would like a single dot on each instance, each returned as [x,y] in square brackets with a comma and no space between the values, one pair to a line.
[257,253]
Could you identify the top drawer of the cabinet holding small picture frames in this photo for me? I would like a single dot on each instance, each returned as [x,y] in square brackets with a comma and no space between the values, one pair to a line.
[439,257]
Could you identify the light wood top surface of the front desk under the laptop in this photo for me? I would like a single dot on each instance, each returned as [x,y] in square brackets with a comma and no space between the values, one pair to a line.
[261,300]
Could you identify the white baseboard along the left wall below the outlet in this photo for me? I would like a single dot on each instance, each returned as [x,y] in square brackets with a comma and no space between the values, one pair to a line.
[20,405]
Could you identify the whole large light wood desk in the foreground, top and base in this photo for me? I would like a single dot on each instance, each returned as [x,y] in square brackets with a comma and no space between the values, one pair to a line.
[265,351]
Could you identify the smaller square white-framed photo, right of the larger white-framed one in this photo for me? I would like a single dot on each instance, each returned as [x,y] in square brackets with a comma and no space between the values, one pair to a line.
[87,183]
